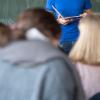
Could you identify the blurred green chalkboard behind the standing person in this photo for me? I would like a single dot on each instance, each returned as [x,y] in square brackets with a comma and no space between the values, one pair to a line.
[9,9]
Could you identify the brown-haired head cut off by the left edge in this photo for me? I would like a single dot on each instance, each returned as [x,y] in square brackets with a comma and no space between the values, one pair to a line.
[5,34]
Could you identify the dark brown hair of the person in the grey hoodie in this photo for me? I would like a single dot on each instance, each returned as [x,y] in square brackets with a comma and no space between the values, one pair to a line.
[39,18]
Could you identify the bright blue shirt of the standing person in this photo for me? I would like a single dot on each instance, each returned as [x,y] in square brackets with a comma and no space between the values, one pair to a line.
[69,8]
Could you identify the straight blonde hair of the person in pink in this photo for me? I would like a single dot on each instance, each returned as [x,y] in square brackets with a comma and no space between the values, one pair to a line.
[87,48]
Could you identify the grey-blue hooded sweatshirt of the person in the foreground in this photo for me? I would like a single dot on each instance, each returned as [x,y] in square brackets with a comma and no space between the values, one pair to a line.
[35,70]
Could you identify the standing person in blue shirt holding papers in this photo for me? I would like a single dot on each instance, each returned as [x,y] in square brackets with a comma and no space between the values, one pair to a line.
[68,8]
